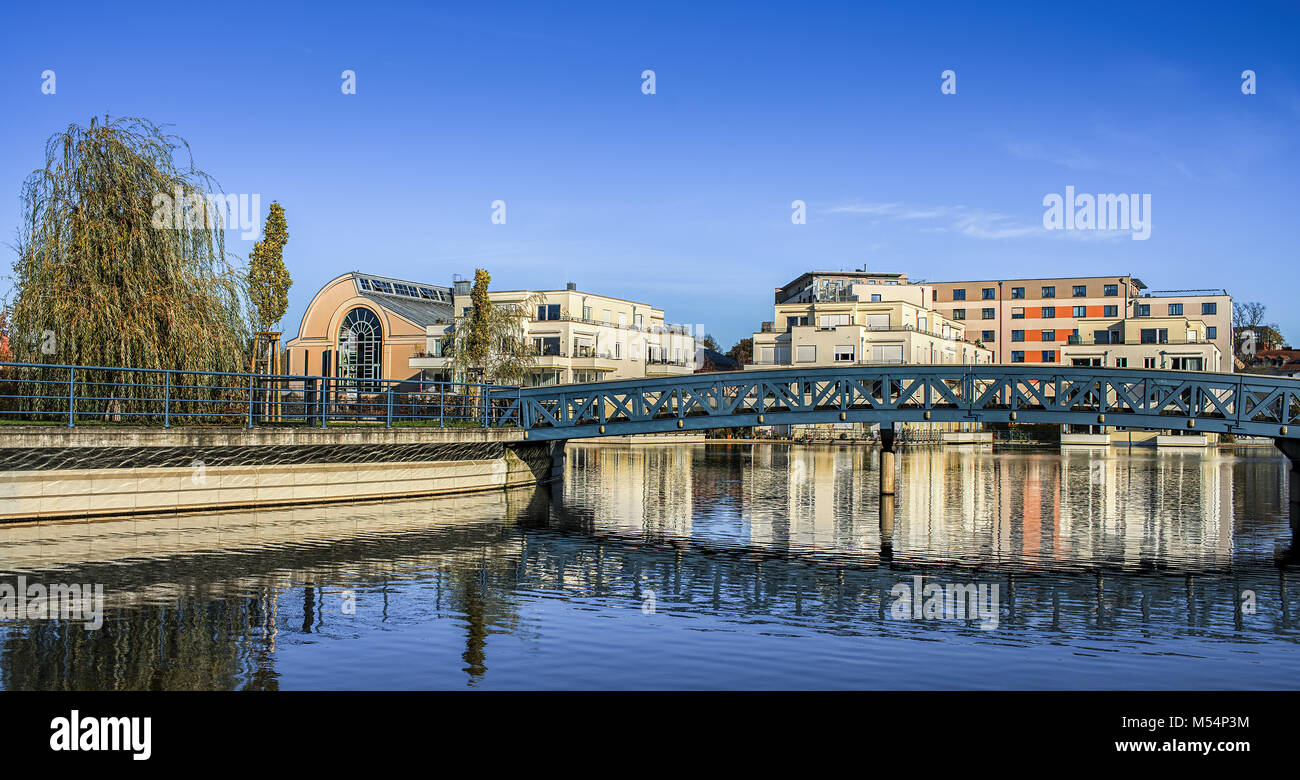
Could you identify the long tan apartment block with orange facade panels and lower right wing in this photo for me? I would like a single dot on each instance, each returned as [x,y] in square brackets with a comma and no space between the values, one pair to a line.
[1033,320]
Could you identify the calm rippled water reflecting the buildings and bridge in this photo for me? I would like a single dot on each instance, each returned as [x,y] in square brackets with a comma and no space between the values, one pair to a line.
[701,566]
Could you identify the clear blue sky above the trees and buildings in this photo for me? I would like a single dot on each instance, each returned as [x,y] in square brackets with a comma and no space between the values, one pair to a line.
[683,198]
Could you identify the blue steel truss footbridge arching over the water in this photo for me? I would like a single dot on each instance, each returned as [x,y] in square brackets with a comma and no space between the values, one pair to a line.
[1245,405]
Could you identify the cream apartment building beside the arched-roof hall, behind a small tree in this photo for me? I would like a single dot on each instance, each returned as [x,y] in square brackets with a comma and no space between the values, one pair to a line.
[578,337]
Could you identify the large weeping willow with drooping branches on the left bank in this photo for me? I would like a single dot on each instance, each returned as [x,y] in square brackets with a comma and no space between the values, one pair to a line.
[122,258]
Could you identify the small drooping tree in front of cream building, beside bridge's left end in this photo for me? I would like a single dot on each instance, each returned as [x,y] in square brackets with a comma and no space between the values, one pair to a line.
[491,344]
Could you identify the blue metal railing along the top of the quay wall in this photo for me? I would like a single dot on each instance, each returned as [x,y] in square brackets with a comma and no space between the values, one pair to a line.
[45,393]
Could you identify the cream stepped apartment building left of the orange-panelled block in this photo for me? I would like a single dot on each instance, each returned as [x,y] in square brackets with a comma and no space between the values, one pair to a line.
[860,318]
